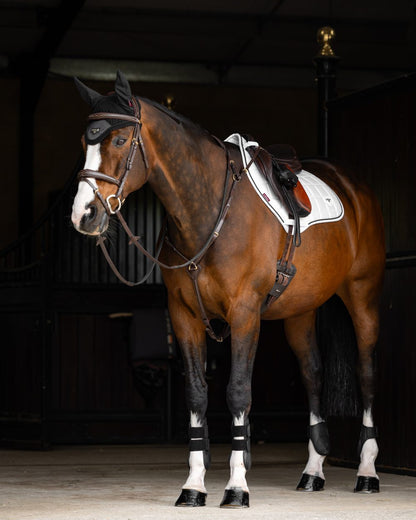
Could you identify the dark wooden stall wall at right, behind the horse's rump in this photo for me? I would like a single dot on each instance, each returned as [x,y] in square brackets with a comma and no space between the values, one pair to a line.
[374,133]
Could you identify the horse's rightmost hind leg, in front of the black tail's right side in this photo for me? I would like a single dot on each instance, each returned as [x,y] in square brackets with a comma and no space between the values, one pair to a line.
[361,300]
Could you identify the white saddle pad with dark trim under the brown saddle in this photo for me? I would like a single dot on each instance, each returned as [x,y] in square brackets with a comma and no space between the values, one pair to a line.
[326,205]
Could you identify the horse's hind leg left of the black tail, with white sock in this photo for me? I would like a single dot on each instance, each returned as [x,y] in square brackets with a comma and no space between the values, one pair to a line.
[301,335]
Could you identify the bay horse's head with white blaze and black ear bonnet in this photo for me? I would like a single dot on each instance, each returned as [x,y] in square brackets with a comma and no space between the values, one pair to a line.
[112,168]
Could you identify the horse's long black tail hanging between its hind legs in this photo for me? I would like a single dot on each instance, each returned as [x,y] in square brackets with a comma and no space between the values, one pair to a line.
[340,395]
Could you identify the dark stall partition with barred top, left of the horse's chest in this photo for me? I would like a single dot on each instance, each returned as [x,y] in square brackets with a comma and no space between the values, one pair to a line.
[66,373]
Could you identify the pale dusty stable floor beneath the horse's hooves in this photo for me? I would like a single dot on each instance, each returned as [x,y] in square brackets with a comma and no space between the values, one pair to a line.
[143,482]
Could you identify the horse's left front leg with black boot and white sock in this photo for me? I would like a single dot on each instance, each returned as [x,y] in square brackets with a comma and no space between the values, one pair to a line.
[190,334]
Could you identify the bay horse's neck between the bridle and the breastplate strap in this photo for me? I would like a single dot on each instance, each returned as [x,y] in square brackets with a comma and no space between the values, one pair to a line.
[187,175]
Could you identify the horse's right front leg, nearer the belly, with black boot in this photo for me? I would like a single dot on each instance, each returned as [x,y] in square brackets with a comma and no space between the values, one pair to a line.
[244,338]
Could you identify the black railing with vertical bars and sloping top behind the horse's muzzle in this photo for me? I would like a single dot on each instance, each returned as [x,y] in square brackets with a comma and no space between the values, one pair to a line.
[71,258]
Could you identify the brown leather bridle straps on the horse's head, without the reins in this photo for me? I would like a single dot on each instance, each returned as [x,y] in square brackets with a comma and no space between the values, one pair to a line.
[86,174]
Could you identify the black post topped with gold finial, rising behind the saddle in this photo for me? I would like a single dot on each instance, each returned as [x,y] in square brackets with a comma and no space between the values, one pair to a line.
[326,68]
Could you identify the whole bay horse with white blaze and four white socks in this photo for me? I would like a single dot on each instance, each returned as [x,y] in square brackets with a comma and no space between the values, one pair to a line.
[230,245]
